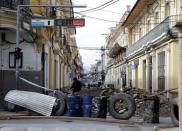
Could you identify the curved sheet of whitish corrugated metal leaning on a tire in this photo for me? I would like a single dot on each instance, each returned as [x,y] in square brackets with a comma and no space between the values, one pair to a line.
[42,104]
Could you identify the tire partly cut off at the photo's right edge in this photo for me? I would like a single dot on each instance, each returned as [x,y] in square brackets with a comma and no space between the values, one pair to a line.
[175,111]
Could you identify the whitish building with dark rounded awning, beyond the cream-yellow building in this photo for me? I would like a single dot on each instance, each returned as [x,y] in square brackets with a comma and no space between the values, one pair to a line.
[117,43]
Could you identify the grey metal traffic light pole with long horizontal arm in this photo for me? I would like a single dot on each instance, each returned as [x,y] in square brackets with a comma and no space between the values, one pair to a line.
[19,7]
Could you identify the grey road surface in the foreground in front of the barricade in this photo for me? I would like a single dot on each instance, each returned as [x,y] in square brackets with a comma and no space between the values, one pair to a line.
[81,124]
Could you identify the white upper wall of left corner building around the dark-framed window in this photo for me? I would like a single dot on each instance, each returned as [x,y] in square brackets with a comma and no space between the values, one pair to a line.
[31,58]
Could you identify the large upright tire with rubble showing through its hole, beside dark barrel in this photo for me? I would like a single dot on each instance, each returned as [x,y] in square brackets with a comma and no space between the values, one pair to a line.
[131,107]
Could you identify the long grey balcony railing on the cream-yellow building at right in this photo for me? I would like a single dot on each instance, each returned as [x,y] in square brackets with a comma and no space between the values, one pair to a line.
[157,31]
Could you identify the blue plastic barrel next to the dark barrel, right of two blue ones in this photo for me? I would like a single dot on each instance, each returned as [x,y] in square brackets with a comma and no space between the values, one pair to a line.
[86,105]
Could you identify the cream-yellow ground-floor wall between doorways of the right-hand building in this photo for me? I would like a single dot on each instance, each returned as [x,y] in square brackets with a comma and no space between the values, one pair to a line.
[171,67]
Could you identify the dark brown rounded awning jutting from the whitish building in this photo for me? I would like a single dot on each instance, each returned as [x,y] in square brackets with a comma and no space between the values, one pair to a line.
[115,50]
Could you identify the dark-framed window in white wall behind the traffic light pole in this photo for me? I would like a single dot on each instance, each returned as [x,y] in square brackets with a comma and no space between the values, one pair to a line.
[12,60]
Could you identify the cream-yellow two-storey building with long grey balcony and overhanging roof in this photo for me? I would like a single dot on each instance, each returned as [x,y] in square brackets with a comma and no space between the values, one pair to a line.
[152,55]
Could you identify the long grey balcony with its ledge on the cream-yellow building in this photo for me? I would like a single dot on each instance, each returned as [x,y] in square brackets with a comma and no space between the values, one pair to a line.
[165,27]
